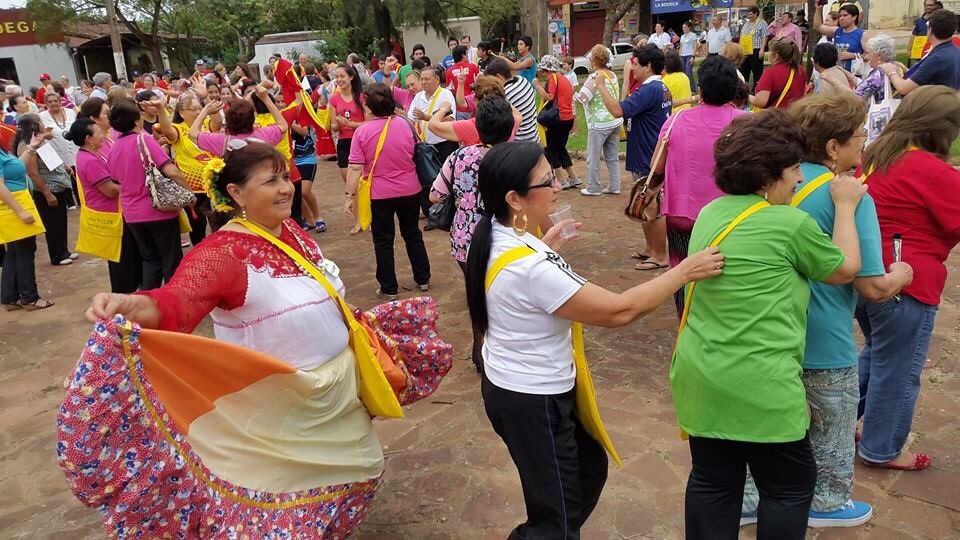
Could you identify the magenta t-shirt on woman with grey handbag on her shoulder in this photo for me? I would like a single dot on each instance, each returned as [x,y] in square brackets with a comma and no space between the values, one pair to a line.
[128,170]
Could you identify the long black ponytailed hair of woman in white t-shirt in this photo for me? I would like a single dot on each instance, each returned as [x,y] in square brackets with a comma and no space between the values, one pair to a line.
[506,167]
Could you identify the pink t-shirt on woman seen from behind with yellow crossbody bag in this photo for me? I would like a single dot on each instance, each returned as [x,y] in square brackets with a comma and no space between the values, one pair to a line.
[395,175]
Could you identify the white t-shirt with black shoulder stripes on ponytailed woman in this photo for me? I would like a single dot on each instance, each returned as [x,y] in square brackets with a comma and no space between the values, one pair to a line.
[528,349]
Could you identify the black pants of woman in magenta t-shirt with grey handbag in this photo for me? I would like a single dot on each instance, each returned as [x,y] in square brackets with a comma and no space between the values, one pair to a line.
[159,245]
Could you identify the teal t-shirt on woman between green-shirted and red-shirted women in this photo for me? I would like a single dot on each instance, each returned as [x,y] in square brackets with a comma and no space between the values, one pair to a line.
[830,343]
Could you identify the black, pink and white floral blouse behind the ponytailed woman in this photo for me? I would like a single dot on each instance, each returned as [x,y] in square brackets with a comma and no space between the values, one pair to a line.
[460,172]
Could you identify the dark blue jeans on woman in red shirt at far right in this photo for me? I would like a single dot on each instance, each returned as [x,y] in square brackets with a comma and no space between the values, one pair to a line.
[897,338]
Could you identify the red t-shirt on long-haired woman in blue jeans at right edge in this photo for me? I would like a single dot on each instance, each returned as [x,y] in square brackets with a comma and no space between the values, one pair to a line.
[919,198]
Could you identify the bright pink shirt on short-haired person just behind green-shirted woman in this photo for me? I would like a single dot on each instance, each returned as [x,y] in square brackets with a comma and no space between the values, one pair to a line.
[689,184]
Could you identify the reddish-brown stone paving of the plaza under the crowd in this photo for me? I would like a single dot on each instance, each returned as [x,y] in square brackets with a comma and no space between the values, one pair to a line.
[448,475]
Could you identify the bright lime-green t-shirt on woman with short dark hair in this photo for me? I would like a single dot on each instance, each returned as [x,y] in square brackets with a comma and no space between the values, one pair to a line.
[737,365]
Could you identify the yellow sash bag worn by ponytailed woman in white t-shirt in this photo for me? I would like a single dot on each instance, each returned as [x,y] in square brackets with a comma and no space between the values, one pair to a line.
[587,410]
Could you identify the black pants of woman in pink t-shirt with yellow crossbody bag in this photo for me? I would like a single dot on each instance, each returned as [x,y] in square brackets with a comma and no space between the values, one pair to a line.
[383,231]
